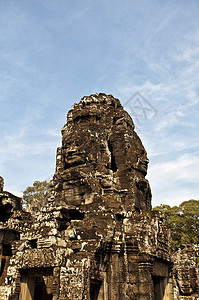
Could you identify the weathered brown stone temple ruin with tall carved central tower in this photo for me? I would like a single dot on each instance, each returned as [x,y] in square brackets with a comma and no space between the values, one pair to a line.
[95,236]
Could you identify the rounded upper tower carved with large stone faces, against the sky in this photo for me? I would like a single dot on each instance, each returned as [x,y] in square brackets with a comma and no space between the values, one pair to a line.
[101,154]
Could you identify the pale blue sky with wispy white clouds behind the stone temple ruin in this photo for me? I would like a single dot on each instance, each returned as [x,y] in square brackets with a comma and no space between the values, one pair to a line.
[52,53]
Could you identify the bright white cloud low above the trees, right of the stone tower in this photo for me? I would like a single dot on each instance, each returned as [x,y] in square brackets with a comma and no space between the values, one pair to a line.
[175,181]
